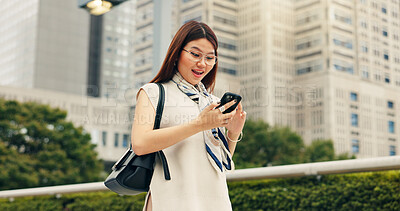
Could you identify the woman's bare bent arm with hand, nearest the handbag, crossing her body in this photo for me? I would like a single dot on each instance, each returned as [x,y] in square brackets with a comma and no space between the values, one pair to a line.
[146,140]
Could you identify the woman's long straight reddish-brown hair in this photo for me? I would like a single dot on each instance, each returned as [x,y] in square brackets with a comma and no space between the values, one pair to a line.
[190,31]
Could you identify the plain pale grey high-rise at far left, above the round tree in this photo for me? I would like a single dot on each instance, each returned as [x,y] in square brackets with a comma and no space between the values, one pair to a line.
[44,45]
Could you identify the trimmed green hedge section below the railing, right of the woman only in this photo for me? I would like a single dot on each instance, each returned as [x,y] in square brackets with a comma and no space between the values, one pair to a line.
[362,191]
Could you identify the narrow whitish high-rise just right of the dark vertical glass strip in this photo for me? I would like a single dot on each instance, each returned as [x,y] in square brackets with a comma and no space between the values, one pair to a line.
[117,51]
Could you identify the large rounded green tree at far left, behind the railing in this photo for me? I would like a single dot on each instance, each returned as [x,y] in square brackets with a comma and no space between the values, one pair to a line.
[39,146]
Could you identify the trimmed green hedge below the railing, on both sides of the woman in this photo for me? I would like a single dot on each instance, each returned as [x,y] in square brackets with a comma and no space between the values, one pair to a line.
[361,191]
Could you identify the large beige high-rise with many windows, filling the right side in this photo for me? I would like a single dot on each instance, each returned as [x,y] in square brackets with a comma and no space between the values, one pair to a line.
[328,69]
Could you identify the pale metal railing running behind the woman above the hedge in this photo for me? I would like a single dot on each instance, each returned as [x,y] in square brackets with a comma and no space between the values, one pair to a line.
[296,170]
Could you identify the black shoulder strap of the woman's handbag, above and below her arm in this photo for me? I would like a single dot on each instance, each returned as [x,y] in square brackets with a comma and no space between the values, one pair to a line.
[160,109]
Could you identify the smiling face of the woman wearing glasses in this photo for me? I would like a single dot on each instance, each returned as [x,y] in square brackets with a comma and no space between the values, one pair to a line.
[194,71]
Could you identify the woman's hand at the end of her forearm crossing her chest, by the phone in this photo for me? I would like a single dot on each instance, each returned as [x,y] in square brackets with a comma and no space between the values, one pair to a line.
[212,118]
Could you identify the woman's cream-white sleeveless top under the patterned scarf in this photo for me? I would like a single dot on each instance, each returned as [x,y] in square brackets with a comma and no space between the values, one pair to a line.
[195,184]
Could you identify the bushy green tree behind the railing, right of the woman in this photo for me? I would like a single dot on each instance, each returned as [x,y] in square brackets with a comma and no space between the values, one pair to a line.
[263,145]
